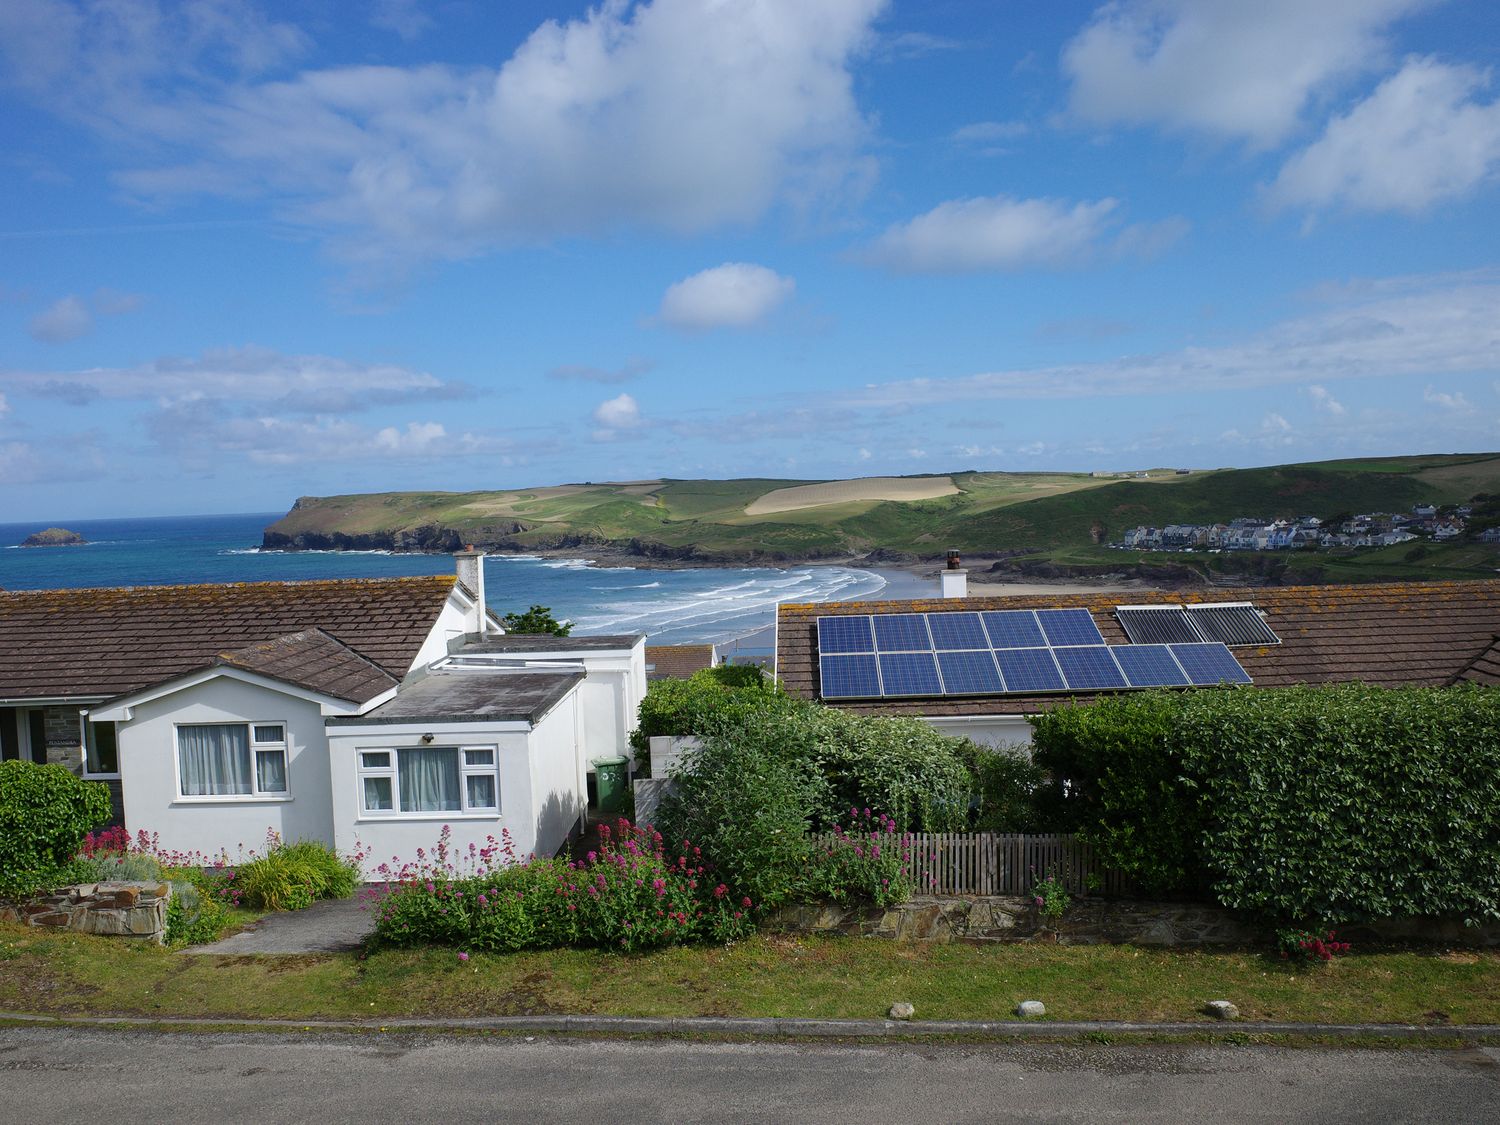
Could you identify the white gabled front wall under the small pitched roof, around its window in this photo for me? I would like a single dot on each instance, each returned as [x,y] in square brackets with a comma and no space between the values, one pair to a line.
[212,824]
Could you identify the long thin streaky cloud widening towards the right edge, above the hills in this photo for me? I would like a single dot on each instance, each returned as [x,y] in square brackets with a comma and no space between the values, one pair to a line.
[1412,326]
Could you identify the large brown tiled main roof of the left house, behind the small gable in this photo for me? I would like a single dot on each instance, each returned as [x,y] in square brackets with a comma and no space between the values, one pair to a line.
[107,643]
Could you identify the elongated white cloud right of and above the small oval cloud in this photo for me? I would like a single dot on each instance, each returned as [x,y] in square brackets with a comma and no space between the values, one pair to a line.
[1001,233]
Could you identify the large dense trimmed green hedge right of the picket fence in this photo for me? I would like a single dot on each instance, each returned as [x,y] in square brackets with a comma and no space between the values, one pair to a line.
[1337,803]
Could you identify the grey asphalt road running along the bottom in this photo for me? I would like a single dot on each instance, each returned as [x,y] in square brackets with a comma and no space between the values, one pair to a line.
[86,1075]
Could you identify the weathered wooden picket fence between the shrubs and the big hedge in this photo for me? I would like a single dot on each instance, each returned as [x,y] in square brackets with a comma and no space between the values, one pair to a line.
[994,863]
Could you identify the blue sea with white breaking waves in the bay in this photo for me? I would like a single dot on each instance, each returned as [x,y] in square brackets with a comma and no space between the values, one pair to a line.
[731,607]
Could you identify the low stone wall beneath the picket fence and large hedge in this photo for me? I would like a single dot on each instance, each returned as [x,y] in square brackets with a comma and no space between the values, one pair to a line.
[1094,922]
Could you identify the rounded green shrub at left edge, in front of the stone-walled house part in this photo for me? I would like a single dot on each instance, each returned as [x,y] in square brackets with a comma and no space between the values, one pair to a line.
[44,815]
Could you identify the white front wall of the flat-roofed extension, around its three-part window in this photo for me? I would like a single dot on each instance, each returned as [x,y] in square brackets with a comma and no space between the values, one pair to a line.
[398,838]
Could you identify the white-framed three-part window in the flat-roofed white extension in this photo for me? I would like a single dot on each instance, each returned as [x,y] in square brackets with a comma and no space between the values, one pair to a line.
[428,779]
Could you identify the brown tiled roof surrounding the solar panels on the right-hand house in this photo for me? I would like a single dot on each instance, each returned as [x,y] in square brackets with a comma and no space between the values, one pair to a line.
[1390,634]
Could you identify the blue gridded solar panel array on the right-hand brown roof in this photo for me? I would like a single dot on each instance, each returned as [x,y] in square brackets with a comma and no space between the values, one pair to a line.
[1003,652]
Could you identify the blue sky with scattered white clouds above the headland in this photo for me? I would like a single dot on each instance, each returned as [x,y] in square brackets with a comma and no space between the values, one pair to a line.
[254,251]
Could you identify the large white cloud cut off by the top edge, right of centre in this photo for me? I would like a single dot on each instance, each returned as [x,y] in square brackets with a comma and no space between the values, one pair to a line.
[1228,70]
